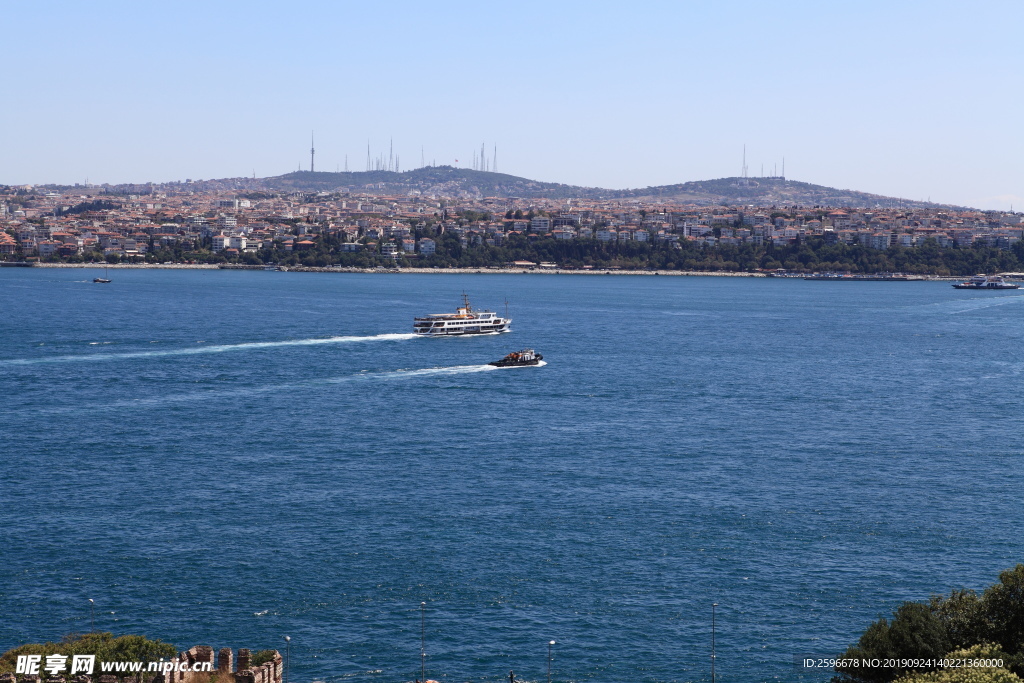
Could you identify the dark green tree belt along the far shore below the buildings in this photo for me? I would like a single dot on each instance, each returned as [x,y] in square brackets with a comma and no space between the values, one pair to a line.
[808,255]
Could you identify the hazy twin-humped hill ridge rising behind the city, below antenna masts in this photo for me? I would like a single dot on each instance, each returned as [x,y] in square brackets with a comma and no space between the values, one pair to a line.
[450,182]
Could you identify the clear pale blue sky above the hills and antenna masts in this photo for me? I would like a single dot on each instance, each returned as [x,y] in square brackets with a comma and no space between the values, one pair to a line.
[917,100]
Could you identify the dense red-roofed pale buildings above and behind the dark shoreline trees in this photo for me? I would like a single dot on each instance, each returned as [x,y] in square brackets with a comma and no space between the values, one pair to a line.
[90,224]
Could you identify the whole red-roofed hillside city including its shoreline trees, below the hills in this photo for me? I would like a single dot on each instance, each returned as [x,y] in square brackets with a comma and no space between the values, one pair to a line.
[361,227]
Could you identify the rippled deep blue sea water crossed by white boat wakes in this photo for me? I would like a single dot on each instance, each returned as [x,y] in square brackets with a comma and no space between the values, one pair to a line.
[225,458]
